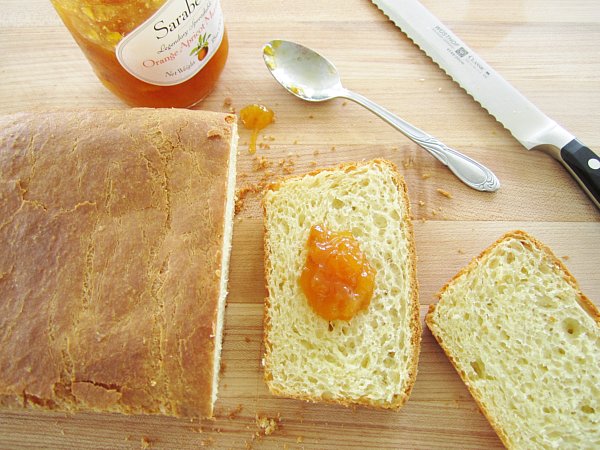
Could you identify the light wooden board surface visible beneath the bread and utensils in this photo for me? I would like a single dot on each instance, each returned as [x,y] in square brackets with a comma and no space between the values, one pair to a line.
[549,49]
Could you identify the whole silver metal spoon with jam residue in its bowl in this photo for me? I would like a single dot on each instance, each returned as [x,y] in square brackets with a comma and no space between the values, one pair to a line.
[311,77]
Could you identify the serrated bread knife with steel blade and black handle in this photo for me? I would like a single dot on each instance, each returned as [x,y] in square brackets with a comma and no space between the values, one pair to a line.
[530,126]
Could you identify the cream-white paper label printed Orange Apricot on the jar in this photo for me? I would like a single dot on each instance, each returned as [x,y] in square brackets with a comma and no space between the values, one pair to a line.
[175,43]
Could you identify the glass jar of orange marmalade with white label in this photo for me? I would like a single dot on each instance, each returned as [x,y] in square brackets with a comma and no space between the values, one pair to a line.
[155,53]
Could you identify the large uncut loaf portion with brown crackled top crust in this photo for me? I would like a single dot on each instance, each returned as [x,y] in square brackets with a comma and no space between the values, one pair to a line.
[115,235]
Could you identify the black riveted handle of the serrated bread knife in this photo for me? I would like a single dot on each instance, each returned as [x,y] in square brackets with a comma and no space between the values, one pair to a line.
[584,165]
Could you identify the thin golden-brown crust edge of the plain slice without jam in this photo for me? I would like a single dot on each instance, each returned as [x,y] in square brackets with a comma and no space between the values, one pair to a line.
[529,240]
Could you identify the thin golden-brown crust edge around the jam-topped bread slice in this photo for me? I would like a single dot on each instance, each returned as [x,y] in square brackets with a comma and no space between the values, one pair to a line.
[414,301]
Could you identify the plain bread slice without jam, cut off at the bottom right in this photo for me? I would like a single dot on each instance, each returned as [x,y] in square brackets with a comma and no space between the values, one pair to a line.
[526,342]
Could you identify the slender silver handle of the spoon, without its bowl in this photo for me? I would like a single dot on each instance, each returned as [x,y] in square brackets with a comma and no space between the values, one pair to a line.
[469,171]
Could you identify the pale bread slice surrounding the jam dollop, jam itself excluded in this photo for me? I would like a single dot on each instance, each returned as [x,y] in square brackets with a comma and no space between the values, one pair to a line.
[371,359]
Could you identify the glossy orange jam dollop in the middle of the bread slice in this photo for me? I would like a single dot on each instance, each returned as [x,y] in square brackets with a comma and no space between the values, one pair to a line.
[337,278]
